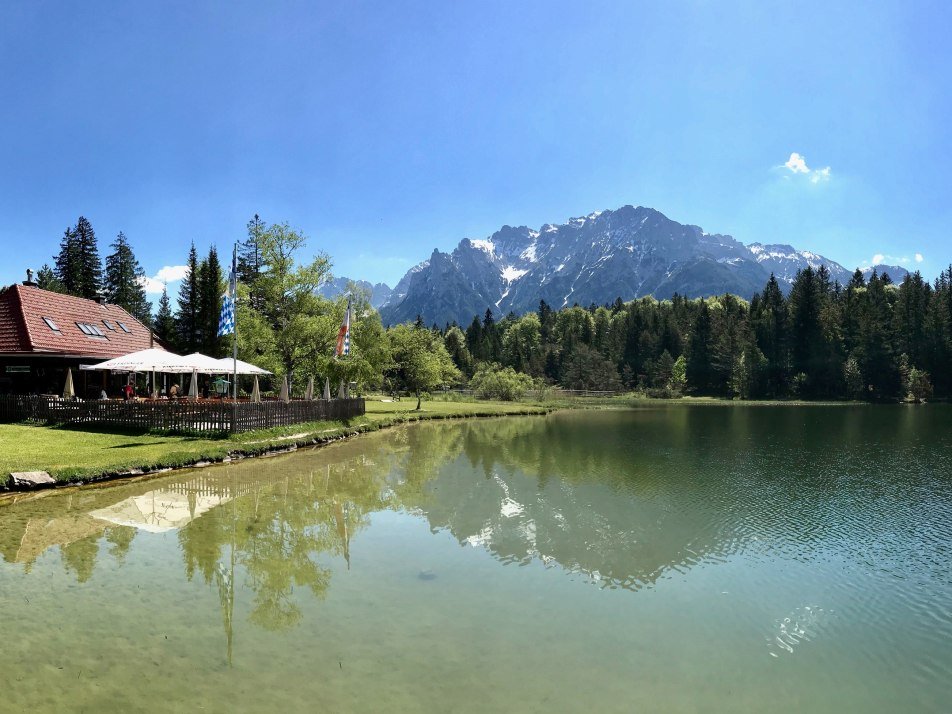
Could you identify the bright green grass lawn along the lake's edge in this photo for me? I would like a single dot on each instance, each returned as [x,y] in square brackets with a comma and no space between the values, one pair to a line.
[75,455]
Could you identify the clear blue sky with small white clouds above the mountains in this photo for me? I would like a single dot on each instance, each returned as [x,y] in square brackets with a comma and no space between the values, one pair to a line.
[384,130]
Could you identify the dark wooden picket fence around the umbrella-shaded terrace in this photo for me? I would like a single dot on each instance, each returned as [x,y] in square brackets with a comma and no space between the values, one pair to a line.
[181,416]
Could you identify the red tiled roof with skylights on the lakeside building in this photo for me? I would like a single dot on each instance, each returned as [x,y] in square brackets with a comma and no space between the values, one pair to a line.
[23,330]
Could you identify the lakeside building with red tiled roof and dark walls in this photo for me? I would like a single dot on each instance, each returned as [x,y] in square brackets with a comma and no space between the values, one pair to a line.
[43,333]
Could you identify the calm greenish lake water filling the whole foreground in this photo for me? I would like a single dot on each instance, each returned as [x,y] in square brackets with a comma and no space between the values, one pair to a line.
[668,559]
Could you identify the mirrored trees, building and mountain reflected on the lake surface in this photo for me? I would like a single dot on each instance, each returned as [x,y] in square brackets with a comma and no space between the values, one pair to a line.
[622,499]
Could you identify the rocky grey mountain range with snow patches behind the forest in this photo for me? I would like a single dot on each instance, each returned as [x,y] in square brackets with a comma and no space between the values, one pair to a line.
[628,253]
